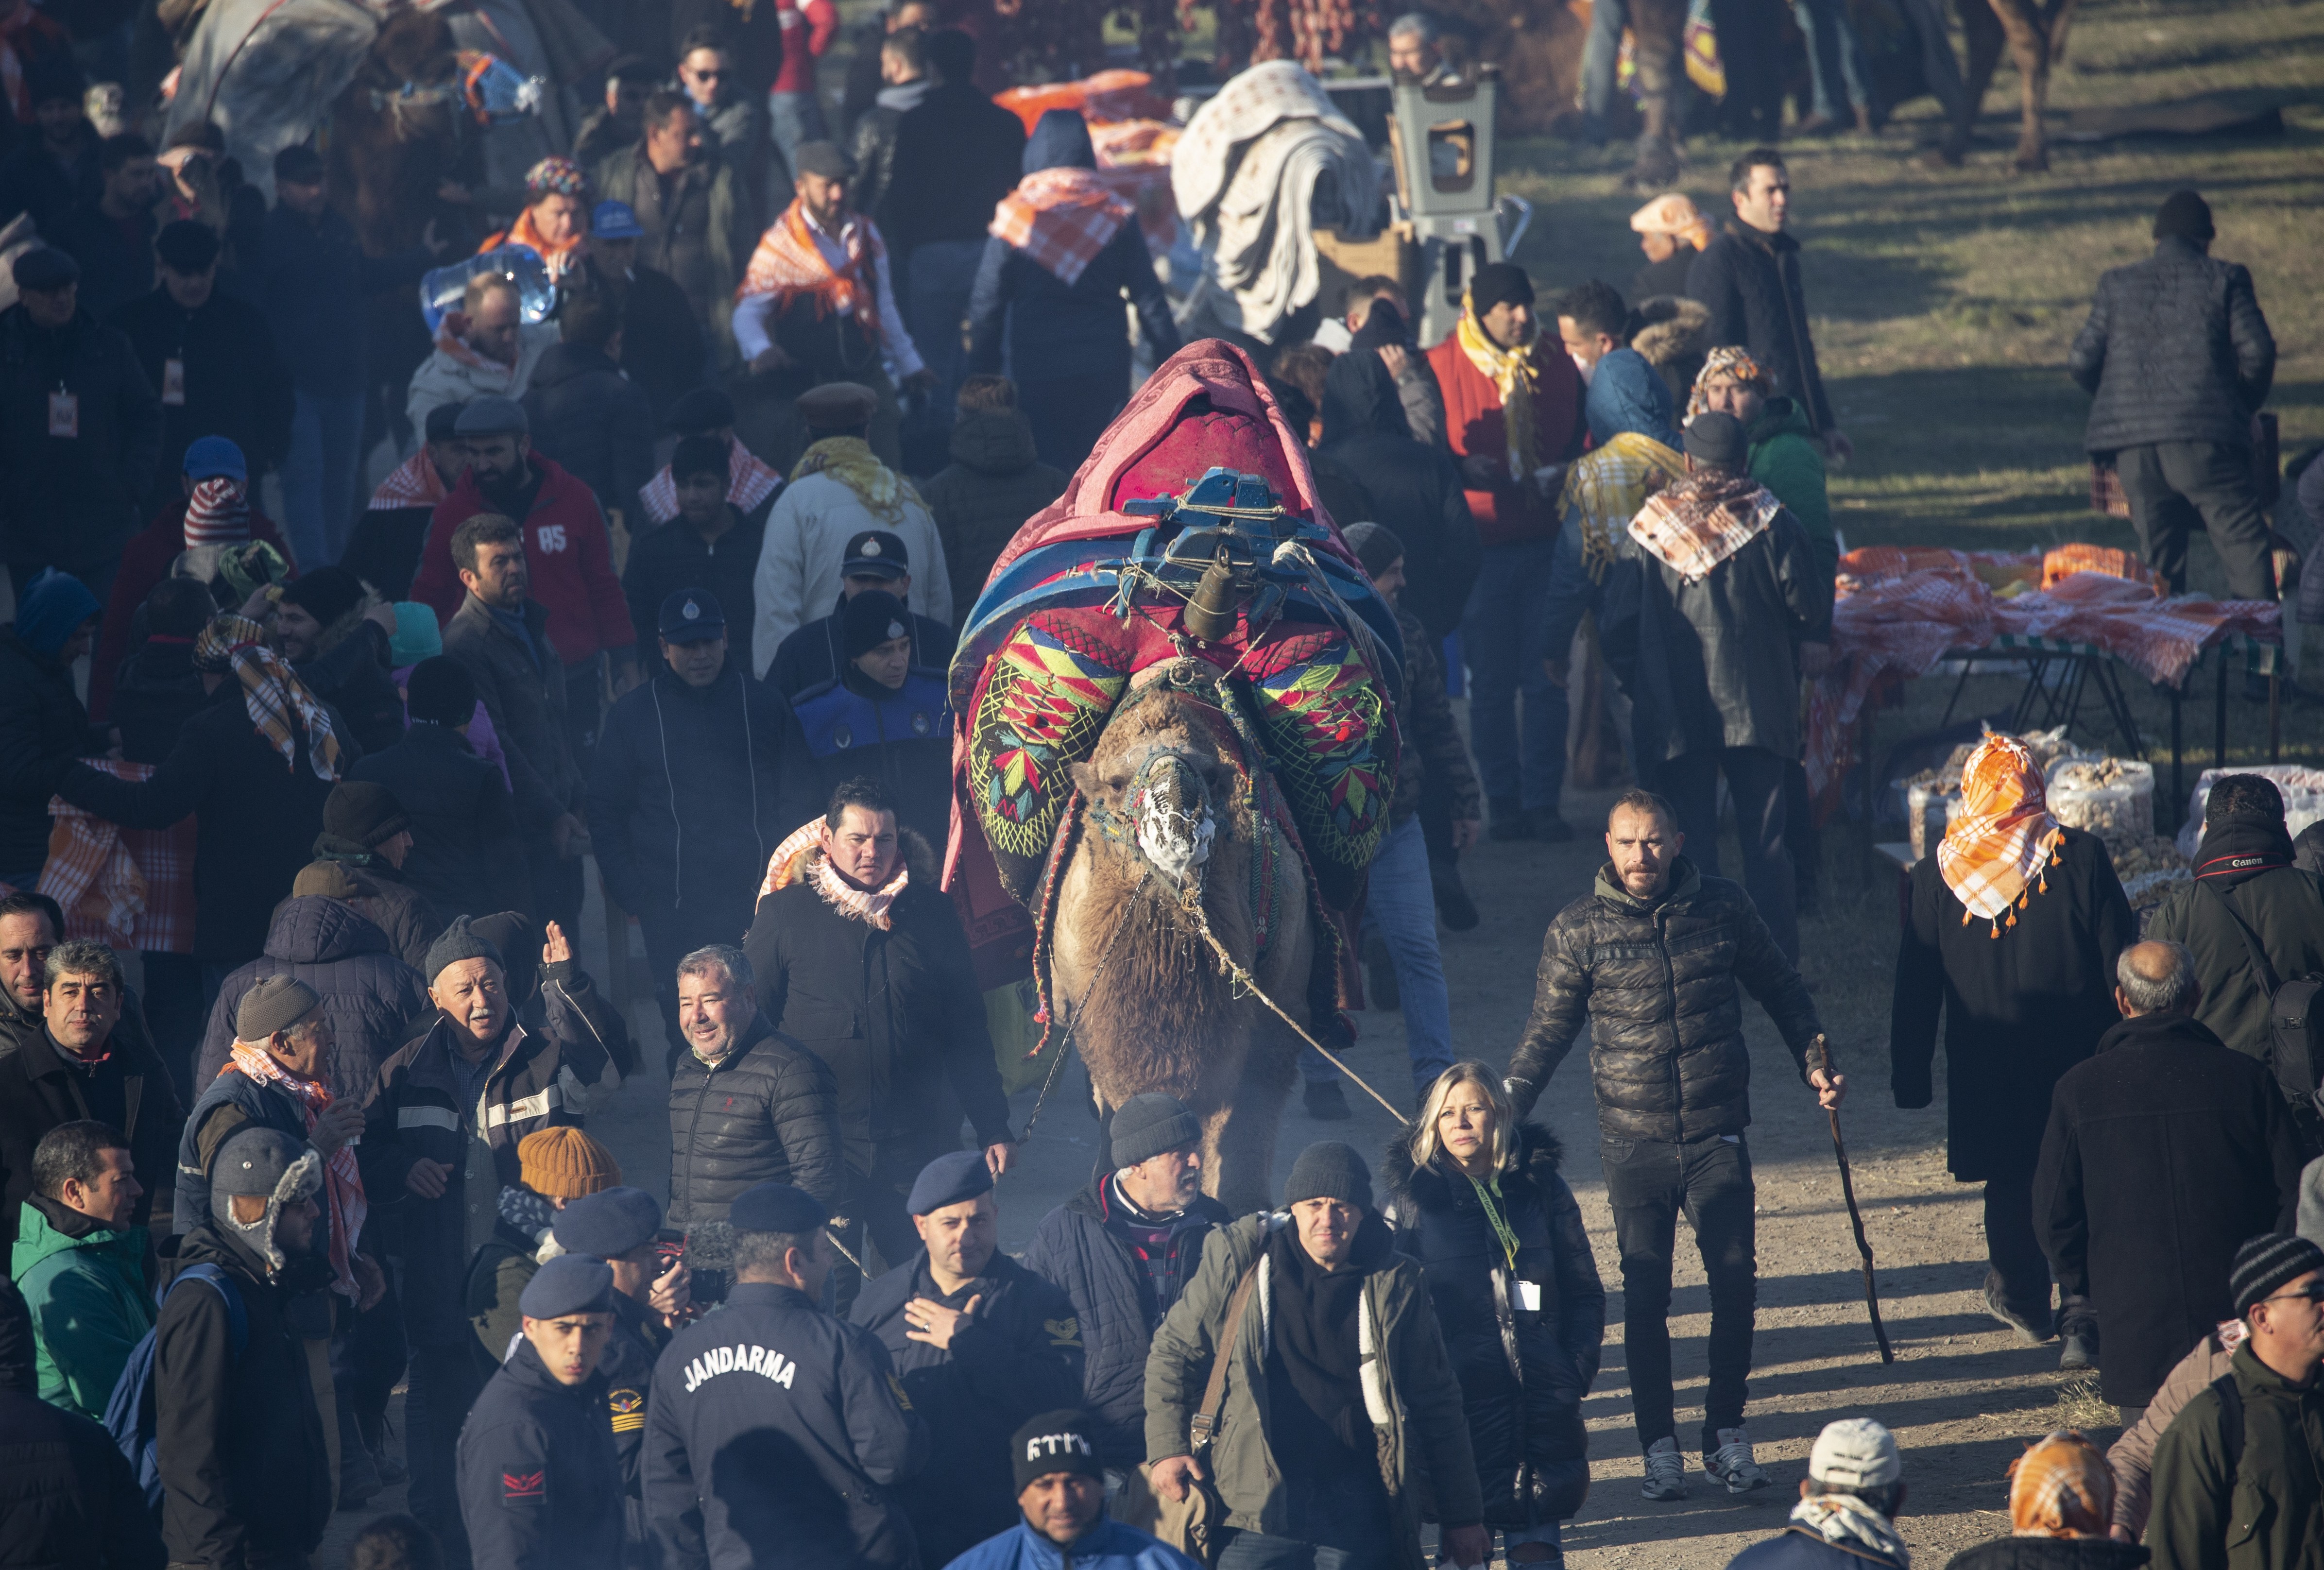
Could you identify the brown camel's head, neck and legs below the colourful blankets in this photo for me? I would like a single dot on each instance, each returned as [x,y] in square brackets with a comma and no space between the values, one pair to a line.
[1168,819]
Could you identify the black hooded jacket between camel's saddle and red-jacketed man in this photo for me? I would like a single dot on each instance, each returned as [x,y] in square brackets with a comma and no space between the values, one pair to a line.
[1414,489]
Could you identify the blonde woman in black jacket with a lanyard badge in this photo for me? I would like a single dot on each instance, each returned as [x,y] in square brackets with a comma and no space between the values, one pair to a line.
[1477,1200]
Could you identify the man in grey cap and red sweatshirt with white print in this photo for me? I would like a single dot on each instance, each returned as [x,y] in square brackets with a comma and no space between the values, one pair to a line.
[568,559]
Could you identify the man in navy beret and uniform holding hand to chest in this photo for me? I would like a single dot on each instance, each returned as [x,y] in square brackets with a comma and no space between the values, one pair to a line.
[982,1344]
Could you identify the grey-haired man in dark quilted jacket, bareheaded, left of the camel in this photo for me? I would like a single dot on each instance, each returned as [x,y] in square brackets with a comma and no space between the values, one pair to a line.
[747,1104]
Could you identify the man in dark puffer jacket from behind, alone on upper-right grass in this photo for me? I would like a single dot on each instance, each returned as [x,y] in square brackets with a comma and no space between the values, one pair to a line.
[2179,359]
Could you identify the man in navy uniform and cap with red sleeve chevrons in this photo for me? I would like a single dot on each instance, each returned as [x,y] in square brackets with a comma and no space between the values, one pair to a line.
[540,1488]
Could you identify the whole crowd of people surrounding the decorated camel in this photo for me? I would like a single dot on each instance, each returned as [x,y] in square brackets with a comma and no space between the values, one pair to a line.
[796,396]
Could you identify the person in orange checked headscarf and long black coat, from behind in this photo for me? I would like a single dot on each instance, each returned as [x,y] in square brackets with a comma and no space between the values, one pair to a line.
[2014,937]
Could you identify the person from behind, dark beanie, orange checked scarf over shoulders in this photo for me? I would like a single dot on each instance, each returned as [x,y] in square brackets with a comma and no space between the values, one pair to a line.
[1066,250]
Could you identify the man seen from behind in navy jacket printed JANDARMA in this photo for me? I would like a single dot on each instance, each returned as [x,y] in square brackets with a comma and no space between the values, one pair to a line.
[777,1434]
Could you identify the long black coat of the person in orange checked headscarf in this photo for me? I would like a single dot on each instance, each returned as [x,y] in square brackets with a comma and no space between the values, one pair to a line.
[2021,1009]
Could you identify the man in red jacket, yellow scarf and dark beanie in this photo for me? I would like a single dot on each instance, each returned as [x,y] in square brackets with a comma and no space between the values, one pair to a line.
[1495,366]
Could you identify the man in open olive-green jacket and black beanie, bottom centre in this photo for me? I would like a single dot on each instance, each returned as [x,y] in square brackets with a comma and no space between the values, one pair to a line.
[1337,1395]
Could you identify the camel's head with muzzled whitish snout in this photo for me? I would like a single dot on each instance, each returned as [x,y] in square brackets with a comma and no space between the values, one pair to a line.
[1159,782]
